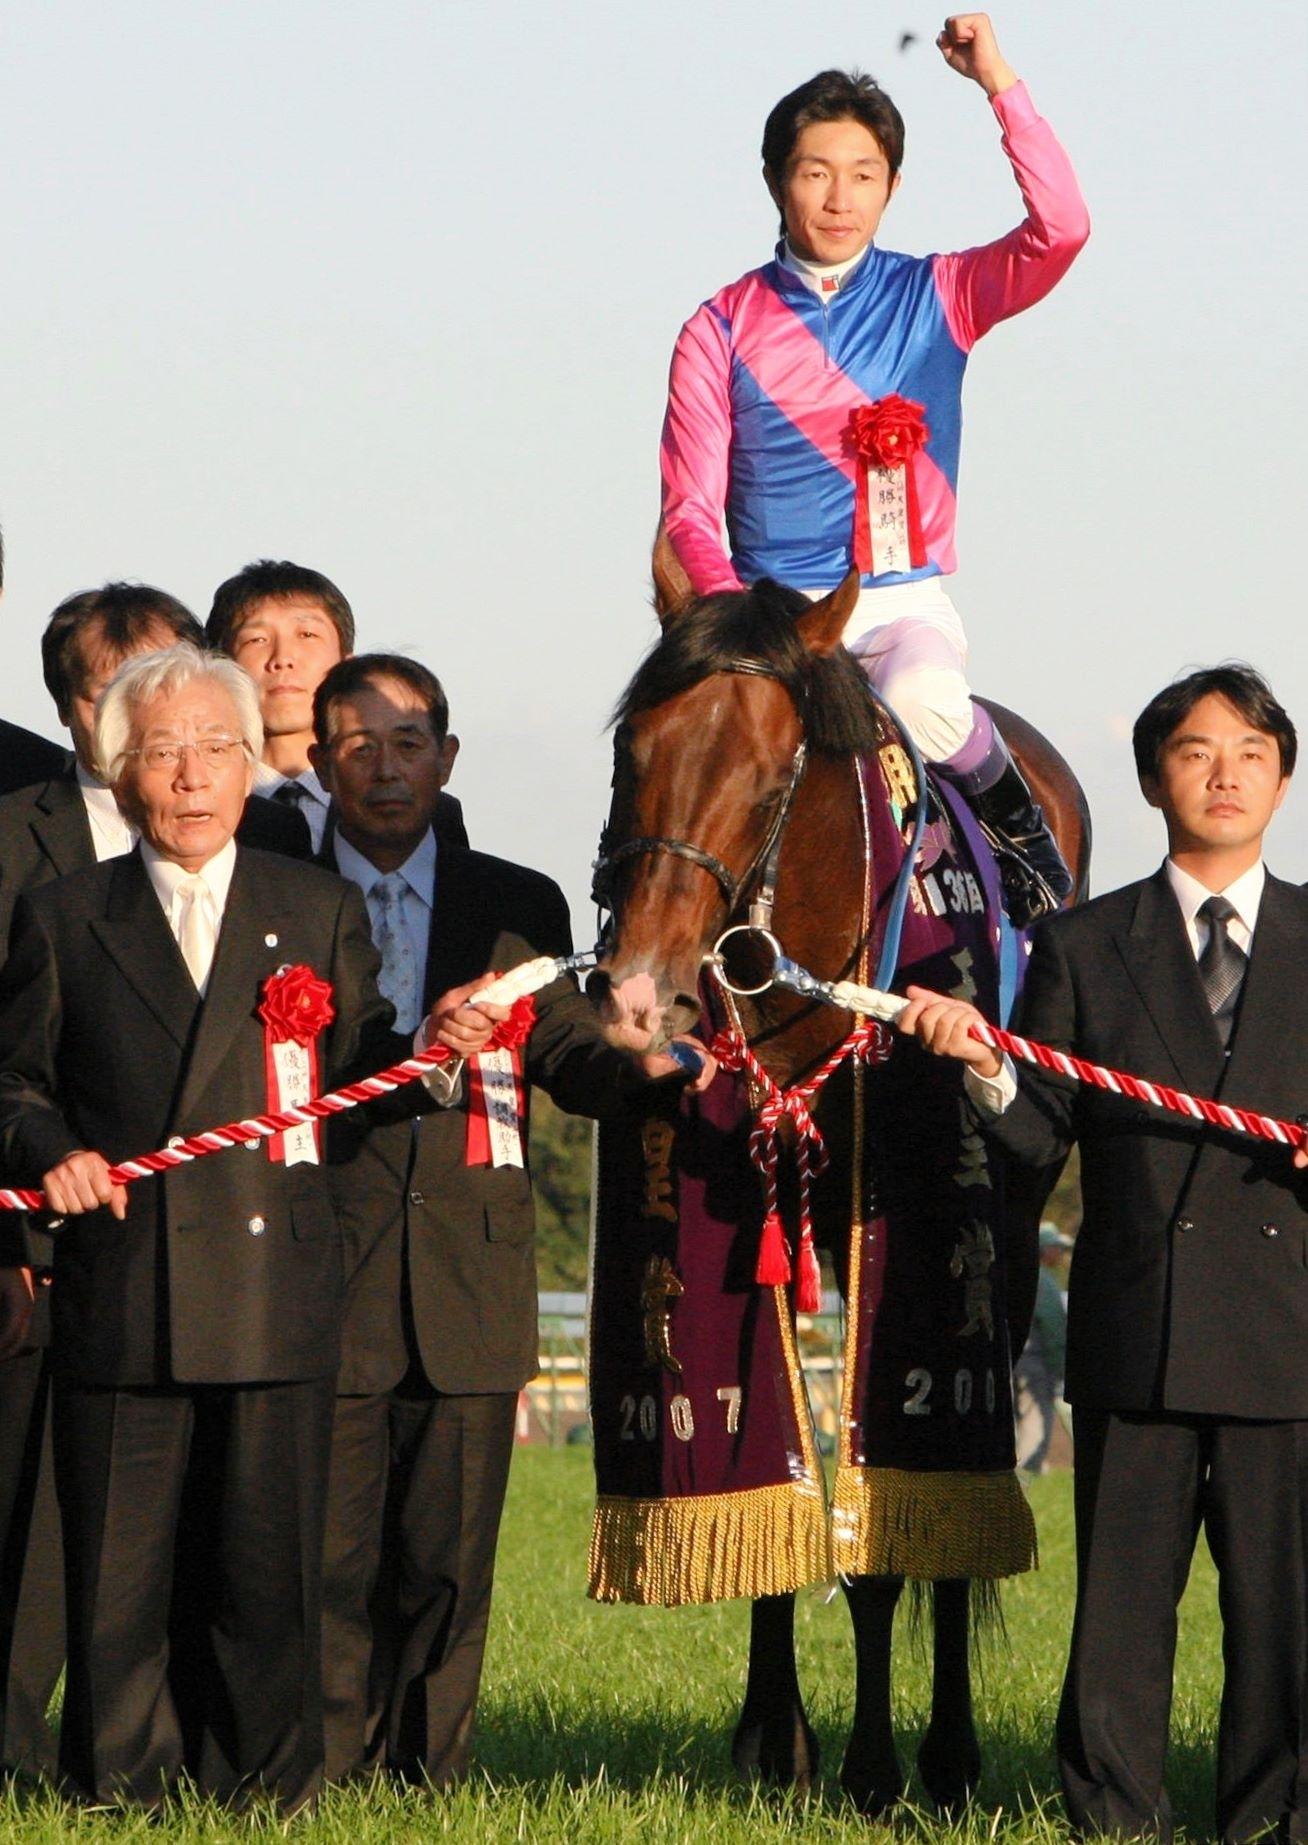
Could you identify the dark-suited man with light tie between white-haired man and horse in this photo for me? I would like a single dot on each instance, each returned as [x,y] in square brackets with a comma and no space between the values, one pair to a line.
[442,1296]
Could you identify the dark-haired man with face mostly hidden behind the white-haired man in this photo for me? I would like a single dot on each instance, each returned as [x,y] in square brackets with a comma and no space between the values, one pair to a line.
[62,824]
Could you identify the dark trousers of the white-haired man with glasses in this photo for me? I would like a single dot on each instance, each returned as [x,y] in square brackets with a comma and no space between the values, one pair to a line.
[195,1530]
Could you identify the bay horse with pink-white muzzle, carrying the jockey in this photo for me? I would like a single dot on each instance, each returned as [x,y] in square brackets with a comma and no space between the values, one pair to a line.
[709,737]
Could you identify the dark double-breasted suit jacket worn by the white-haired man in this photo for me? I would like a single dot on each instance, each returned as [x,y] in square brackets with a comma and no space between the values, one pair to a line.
[228,1270]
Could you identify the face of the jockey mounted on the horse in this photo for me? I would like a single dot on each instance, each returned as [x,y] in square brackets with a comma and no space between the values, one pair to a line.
[837,187]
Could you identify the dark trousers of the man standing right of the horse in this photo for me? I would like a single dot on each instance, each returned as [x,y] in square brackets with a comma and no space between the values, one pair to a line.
[1143,1488]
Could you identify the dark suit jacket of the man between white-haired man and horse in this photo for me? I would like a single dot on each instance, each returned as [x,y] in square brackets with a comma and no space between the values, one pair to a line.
[440,1254]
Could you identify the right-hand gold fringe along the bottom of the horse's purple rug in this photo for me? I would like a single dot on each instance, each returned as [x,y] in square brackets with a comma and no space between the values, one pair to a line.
[888,1521]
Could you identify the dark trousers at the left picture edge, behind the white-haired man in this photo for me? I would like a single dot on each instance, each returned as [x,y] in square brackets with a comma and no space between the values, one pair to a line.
[30,1567]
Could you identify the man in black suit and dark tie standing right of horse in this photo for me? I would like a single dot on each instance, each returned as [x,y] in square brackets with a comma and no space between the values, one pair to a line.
[1189,1303]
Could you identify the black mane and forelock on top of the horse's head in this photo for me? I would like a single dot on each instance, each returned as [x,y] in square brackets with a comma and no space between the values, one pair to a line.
[757,626]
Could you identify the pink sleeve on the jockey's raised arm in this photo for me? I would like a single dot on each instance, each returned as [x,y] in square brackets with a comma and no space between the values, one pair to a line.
[988,285]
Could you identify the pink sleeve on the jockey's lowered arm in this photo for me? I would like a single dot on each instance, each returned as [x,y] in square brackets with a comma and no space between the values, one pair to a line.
[695,453]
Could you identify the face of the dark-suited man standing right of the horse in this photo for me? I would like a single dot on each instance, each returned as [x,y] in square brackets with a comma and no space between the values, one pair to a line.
[1219,785]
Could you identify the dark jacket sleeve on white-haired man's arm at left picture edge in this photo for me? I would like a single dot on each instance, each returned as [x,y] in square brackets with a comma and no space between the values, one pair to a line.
[34,1136]
